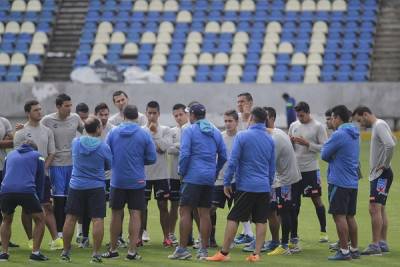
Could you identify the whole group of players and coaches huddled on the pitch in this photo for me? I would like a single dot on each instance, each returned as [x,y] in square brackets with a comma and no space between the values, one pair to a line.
[65,166]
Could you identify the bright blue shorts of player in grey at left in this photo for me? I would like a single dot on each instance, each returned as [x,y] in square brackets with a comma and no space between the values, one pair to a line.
[59,178]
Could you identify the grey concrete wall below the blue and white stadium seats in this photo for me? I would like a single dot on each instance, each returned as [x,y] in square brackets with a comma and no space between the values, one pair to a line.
[383,98]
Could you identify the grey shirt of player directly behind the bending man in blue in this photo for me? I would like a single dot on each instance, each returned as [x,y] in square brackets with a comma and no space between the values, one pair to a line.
[41,135]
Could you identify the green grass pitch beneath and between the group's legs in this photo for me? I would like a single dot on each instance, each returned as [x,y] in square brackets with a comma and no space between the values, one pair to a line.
[313,254]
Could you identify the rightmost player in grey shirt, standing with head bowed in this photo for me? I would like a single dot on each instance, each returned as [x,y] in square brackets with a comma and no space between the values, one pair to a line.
[381,176]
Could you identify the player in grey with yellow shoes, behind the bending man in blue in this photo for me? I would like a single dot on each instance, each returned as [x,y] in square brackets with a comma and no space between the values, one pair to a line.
[43,137]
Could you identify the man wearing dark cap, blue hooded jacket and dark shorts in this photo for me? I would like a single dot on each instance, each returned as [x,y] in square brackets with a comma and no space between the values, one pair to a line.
[202,155]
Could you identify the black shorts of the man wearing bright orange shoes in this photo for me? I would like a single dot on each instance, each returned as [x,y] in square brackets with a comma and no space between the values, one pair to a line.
[250,206]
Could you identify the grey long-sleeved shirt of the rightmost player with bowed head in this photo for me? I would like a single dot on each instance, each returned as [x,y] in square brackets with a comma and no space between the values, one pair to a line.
[382,148]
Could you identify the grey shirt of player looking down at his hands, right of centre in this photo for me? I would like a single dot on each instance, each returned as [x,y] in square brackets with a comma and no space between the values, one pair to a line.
[314,132]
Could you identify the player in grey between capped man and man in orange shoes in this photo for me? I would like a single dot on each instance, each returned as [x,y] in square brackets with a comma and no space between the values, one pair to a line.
[231,121]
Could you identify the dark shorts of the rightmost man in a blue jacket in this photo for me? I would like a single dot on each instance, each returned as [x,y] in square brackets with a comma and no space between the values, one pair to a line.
[342,201]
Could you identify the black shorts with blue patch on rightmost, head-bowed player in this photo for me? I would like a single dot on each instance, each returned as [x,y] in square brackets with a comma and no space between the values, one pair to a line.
[379,188]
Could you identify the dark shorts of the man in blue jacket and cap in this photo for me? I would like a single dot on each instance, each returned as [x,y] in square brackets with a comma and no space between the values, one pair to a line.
[196,196]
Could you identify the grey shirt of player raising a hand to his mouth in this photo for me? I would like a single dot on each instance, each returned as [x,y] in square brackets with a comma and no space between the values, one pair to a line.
[163,140]
